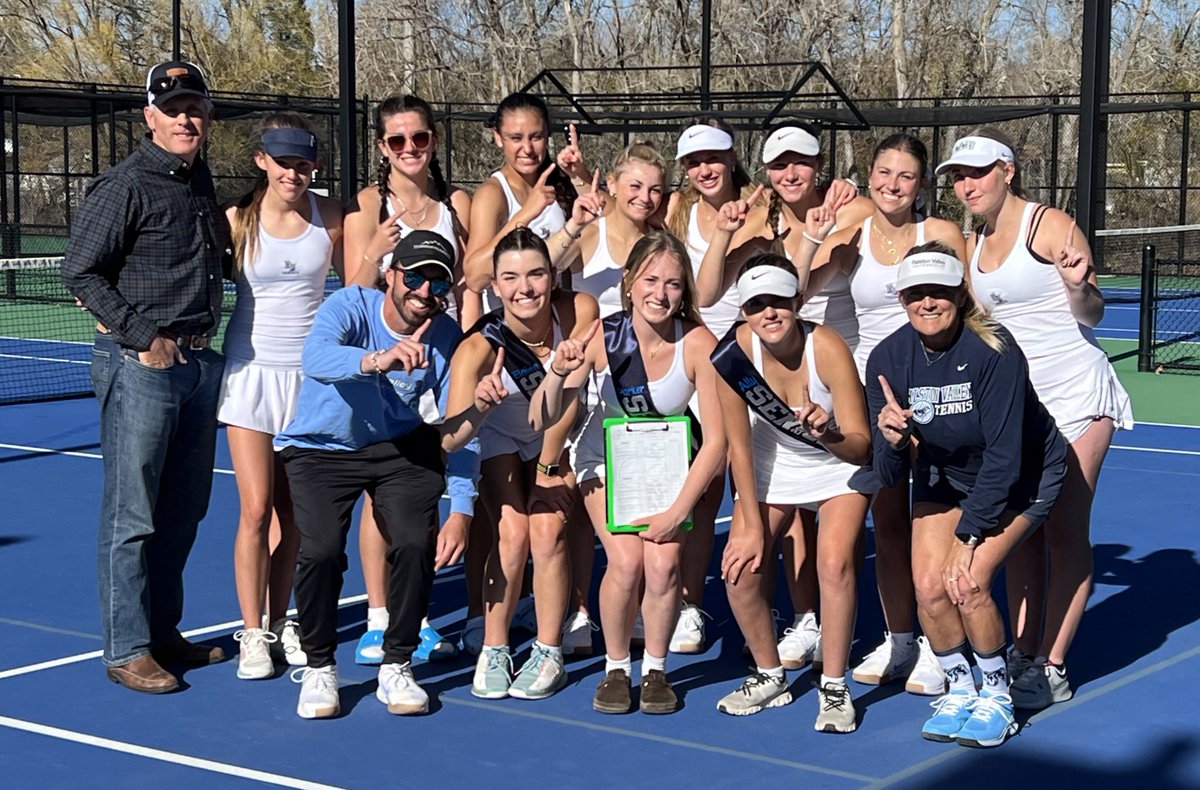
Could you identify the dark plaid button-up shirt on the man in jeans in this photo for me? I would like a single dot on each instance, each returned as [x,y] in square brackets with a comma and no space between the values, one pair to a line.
[147,248]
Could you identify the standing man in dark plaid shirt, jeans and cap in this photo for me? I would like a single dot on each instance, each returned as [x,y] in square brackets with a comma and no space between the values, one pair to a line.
[145,258]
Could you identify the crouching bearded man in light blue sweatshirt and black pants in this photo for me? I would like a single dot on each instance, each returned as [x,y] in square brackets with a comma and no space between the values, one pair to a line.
[377,369]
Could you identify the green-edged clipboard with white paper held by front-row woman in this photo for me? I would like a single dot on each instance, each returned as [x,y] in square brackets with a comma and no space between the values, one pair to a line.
[646,466]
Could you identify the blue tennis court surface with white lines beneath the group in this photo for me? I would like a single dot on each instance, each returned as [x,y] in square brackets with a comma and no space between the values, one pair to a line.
[1133,721]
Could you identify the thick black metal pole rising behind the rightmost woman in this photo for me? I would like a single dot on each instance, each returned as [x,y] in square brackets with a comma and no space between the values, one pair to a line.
[1094,127]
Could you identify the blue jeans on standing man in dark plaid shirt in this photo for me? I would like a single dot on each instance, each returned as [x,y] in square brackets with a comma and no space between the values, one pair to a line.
[158,433]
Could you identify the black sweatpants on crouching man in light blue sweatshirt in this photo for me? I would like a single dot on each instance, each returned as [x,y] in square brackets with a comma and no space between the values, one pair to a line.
[405,478]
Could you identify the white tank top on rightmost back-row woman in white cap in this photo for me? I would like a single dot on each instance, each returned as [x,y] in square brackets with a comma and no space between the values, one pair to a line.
[1029,297]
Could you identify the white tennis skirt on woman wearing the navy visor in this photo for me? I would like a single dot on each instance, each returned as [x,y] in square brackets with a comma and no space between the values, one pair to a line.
[259,398]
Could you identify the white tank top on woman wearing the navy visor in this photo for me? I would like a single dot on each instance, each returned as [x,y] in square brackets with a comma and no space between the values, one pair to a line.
[279,294]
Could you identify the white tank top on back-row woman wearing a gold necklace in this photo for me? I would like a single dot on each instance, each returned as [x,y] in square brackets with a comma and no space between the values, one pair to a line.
[878,307]
